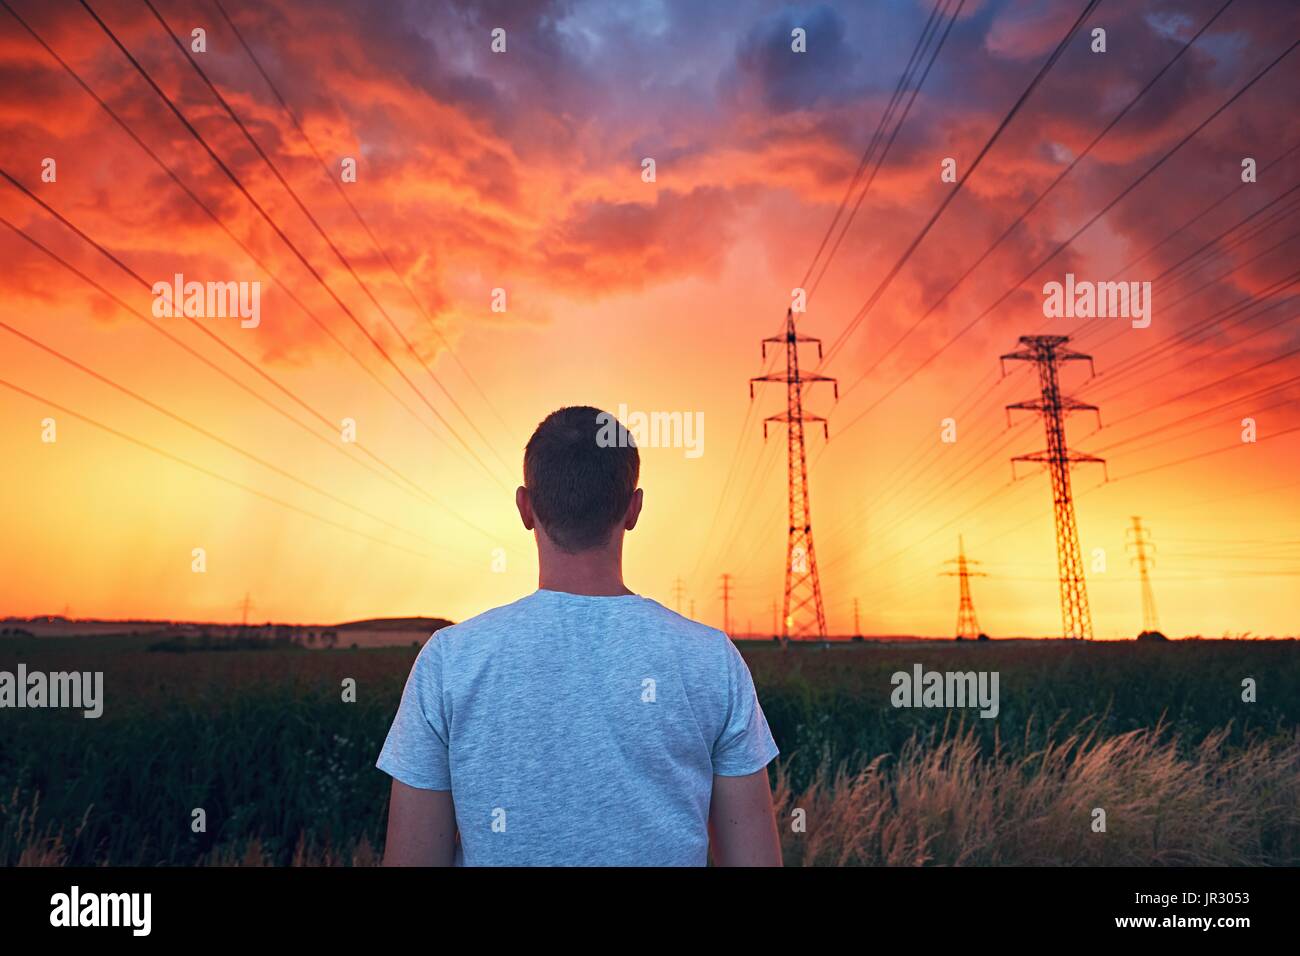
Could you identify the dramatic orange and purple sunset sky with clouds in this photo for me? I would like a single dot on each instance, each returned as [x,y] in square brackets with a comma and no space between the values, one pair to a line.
[522,171]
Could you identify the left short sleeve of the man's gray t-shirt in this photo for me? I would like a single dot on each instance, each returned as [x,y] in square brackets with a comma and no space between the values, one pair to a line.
[415,751]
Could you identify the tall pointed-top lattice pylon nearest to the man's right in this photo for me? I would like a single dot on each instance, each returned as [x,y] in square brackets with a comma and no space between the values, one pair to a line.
[804,612]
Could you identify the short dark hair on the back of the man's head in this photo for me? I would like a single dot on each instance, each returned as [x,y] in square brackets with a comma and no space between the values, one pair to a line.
[580,470]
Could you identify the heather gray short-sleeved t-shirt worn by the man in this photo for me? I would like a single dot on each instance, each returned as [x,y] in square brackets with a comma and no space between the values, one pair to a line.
[578,730]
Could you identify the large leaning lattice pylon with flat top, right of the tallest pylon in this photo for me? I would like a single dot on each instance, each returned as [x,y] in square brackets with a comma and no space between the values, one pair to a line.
[1048,353]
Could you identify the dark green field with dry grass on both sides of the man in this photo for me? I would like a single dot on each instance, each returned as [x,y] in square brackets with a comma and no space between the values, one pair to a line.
[1156,736]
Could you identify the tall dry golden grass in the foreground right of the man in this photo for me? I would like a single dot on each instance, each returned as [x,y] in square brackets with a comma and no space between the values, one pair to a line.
[942,803]
